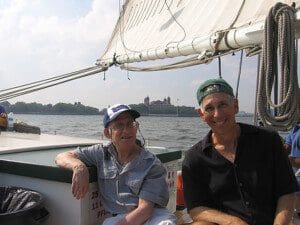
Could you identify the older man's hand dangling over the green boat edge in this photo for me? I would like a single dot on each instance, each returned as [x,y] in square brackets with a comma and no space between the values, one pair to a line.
[80,181]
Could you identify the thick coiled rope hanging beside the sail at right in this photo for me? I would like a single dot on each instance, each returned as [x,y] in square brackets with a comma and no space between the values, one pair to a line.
[279,31]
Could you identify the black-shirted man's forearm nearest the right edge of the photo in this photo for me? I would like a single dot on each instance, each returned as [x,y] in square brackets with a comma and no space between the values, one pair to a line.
[285,209]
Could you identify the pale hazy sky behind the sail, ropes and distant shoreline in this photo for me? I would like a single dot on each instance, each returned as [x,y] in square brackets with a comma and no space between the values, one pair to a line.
[45,38]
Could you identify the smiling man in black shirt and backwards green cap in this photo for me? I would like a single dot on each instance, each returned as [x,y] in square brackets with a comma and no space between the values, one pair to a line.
[238,174]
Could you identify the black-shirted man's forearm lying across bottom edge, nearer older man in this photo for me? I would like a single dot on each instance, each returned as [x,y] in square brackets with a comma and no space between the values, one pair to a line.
[205,214]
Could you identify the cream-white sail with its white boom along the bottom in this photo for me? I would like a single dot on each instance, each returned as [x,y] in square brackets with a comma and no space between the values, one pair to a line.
[158,29]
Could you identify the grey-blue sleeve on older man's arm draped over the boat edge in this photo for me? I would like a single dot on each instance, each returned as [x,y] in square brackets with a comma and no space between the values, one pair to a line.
[90,155]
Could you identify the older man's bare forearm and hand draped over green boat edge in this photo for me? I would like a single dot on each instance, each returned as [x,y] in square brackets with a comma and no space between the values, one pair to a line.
[80,180]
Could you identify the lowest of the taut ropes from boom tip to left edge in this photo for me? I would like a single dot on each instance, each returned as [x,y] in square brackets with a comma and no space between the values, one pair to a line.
[50,85]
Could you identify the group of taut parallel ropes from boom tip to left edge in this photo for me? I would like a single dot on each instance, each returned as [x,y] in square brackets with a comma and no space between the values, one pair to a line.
[46,83]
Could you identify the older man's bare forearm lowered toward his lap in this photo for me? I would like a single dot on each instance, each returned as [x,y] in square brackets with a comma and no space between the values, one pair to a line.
[139,215]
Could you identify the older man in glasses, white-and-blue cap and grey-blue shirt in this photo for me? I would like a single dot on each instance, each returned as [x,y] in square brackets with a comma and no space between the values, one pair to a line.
[127,173]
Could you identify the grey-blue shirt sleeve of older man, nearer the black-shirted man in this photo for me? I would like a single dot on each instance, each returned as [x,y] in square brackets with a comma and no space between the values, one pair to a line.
[154,187]
